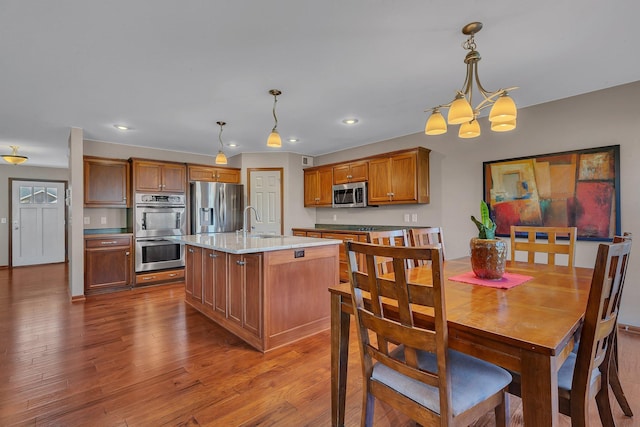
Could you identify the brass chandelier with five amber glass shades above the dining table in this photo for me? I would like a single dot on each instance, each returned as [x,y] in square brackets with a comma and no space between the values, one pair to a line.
[503,111]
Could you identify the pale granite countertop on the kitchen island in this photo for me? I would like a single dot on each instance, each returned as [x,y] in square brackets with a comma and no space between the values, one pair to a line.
[236,243]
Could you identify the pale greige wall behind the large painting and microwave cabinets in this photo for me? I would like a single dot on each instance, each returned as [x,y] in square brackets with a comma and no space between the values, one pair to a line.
[602,118]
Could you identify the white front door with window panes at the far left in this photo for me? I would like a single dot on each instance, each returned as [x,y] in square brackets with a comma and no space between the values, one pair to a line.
[37,222]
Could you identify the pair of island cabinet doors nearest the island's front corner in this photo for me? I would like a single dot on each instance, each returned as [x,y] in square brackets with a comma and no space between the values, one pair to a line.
[245,292]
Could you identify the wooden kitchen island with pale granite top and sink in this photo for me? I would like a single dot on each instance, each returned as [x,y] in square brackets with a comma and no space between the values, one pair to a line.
[267,290]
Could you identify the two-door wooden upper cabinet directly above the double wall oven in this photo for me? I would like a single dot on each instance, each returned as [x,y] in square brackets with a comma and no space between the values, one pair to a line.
[159,177]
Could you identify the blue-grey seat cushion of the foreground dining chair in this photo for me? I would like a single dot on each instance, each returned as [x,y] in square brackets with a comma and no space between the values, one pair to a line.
[472,380]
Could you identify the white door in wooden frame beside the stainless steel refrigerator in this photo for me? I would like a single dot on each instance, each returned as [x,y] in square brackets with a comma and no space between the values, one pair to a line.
[266,197]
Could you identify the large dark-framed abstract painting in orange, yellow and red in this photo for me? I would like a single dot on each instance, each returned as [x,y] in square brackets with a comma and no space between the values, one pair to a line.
[574,188]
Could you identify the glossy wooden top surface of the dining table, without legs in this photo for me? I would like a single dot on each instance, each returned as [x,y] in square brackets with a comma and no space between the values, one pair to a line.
[539,315]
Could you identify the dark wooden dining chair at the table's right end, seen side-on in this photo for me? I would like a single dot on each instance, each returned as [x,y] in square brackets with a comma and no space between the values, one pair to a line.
[585,374]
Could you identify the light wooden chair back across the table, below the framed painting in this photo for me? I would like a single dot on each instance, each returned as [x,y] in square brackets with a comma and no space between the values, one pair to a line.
[551,246]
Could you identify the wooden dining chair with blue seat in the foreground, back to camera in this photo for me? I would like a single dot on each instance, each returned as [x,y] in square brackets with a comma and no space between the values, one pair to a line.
[409,367]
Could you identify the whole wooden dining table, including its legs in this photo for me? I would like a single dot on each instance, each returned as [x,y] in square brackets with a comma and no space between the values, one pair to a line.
[530,328]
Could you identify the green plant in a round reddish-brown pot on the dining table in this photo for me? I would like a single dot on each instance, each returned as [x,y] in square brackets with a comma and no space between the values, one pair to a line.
[488,254]
